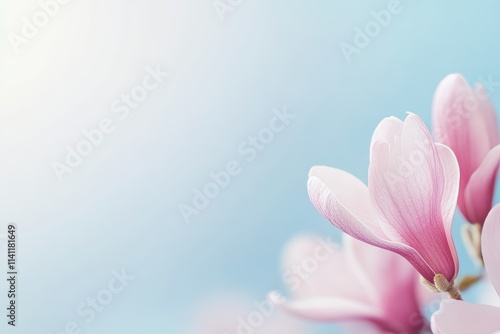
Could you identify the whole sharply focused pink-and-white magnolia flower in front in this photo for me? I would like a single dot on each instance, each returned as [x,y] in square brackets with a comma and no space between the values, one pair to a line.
[409,203]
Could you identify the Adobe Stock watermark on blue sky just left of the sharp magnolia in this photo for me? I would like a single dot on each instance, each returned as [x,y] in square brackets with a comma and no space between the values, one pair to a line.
[248,150]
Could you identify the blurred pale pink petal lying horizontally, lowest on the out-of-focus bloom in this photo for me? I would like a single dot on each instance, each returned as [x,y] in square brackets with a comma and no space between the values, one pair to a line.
[326,308]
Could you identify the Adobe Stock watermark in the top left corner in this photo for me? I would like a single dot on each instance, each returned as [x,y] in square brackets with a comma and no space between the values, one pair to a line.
[48,9]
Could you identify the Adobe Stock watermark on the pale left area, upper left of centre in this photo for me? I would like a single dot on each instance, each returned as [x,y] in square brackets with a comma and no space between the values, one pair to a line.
[122,108]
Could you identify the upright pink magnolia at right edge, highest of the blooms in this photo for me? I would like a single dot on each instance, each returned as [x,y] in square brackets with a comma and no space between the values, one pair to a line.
[465,120]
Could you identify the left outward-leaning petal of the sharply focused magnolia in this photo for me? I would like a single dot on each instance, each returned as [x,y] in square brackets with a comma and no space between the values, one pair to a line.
[344,201]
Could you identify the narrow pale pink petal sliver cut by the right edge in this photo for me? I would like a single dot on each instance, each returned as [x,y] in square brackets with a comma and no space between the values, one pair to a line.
[491,246]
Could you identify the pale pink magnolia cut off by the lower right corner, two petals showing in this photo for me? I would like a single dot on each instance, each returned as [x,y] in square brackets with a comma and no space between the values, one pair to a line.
[458,317]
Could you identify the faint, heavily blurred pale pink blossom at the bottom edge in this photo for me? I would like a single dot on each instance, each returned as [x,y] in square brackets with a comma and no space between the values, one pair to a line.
[233,316]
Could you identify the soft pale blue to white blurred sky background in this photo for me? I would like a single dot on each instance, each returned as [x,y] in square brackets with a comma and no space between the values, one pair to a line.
[120,207]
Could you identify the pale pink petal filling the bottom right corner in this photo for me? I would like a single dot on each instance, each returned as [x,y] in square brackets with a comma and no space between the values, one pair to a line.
[459,317]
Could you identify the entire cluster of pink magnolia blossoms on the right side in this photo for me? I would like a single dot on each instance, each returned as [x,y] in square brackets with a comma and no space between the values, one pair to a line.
[415,183]
